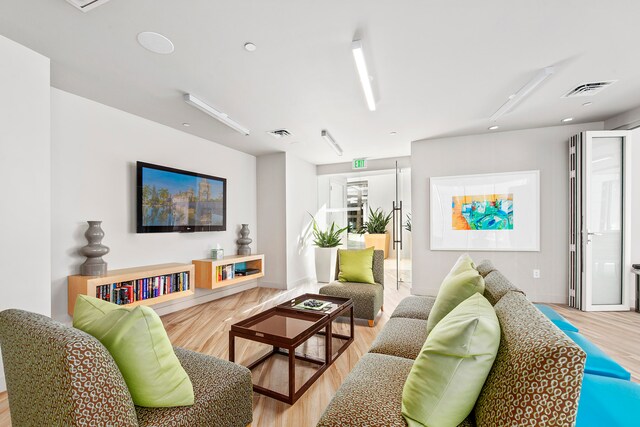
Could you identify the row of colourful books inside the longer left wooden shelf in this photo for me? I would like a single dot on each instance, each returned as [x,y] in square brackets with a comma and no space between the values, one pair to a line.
[141,289]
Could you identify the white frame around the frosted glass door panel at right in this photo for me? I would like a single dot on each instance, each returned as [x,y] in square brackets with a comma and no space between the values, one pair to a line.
[587,294]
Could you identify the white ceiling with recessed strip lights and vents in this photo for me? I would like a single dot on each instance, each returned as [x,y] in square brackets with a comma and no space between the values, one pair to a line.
[439,67]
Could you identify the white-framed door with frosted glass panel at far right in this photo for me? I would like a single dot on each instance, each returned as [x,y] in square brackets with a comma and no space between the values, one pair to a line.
[605,219]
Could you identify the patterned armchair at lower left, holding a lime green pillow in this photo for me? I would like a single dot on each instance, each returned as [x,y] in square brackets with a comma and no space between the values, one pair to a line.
[60,376]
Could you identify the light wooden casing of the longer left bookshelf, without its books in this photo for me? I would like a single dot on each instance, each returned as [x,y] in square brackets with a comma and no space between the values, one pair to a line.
[87,285]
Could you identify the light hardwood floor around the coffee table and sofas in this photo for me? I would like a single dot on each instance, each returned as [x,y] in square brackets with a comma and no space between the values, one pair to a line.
[205,328]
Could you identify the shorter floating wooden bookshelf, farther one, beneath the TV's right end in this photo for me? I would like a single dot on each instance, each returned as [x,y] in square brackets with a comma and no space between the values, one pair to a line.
[231,270]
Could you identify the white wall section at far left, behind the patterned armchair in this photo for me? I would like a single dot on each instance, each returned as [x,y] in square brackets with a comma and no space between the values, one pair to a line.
[25,154]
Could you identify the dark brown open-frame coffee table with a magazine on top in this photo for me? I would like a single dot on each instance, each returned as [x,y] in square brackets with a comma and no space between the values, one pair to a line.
[285,328]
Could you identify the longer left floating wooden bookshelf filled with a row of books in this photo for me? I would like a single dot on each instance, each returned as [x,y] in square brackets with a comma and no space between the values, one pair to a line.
[145,285]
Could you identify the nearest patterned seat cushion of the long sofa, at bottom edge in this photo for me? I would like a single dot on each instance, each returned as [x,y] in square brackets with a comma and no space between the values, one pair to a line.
[371,395]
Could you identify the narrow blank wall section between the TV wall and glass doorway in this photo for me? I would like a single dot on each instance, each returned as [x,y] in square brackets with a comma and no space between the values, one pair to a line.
[272,226]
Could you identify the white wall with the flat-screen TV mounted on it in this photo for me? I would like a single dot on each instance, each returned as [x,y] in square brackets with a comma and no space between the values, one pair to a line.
[95,148]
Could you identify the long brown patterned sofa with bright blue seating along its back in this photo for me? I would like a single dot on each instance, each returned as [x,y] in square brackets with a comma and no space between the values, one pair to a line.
[536,379]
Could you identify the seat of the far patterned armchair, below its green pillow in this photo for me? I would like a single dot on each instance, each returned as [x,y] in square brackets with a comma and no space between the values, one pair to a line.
[367,298]
